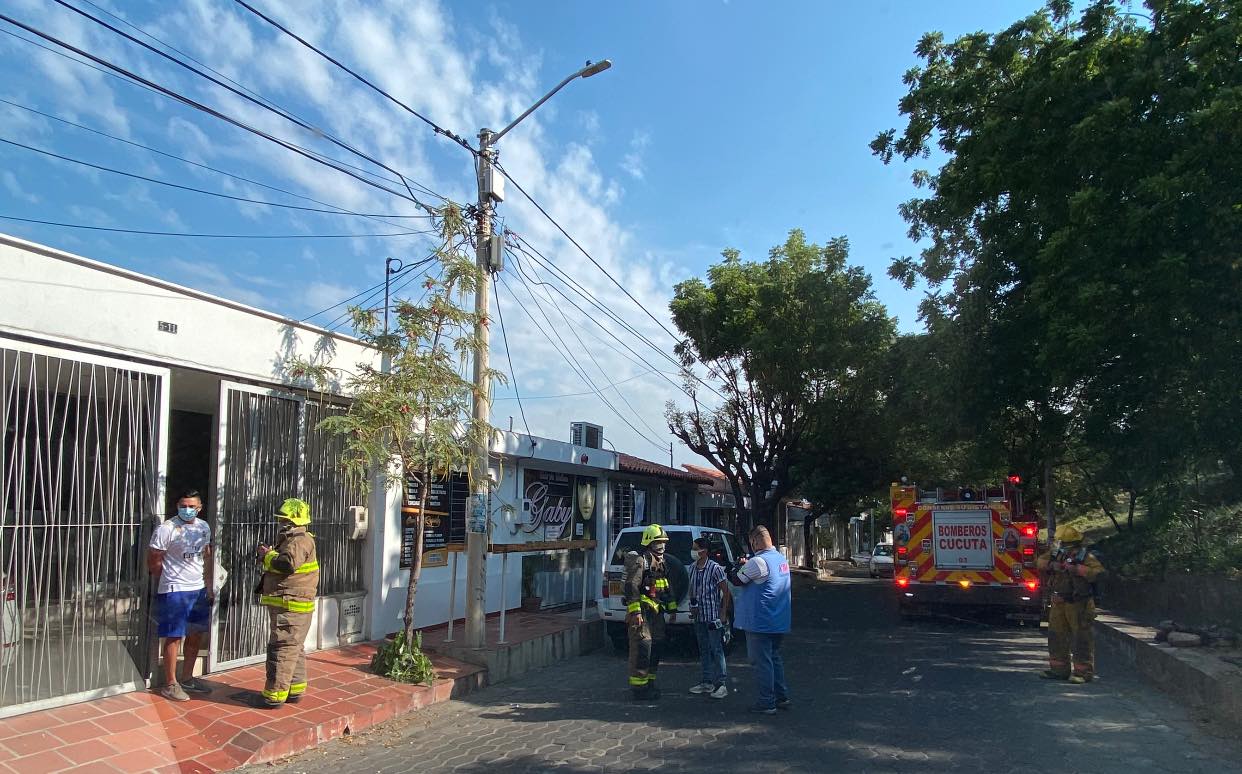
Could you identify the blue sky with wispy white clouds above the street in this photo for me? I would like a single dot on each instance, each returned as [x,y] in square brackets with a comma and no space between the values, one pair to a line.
[721,125]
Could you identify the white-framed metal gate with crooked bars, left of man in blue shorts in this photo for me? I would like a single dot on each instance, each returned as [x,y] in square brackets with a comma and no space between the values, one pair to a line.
[81,470]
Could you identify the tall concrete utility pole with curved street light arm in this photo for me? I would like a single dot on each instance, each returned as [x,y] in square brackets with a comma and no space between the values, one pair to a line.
[489,250]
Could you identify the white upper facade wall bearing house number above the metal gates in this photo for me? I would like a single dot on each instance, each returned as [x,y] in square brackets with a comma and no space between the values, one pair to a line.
[58,296]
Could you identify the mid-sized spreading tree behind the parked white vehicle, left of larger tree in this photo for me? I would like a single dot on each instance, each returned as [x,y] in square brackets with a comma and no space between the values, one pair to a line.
[777,339]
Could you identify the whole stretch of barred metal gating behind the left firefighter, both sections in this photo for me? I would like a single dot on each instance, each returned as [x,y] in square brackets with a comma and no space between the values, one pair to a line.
[270,450]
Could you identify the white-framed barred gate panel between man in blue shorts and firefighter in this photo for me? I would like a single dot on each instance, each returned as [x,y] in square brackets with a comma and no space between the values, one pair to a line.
[260,445]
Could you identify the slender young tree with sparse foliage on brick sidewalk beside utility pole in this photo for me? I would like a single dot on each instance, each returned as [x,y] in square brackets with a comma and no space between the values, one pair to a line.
[410,417]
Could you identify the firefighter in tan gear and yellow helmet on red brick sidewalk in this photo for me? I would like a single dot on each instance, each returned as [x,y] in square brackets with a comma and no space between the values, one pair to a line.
[290,585]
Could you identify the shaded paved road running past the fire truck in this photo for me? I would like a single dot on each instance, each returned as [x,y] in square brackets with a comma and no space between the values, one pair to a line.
[873,694]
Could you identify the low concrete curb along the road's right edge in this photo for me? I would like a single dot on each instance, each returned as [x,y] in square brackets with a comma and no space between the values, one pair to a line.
[1189,675]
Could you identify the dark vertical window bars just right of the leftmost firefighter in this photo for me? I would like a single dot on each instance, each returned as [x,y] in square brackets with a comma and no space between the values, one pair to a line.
[331,494]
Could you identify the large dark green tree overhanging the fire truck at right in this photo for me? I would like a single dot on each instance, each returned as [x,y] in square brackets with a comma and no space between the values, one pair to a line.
[1081,238]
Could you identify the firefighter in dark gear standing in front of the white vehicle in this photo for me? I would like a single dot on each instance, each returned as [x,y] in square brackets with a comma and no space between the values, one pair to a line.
[649,597]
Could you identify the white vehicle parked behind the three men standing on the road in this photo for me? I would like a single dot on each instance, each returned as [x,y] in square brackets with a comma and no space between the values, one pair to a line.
[725,549]
